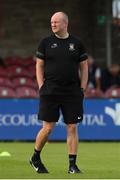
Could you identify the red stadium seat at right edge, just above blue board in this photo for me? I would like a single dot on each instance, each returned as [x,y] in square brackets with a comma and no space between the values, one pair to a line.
[113,93]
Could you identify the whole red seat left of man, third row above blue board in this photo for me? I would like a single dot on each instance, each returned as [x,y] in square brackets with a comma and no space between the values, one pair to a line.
[17,71]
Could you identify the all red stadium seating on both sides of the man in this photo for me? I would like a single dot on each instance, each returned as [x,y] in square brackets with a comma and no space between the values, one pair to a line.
[17,79]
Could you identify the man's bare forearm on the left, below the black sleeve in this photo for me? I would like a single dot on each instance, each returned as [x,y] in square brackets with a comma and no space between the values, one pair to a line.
[40,72]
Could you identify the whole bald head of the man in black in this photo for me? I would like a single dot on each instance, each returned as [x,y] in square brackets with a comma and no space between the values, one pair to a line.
[59,23]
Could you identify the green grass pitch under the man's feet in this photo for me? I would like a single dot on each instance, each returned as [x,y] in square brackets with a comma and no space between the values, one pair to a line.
[96,160]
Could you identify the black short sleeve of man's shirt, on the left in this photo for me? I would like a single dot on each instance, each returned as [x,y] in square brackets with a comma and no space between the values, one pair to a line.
[40,53]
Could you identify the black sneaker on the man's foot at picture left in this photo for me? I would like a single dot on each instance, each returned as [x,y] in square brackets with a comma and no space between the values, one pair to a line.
[38,166]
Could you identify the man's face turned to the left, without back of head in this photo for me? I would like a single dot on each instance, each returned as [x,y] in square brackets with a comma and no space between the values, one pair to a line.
[58,24]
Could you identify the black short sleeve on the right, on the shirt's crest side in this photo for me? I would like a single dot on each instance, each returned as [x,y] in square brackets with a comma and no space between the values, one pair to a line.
[82,52]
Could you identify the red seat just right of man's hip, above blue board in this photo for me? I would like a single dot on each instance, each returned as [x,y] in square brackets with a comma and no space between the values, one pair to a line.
[94,93]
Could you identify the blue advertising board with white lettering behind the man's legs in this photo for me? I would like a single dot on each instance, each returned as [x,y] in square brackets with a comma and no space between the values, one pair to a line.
[18,120]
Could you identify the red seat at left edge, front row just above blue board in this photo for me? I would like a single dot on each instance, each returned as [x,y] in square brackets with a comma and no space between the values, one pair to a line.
[7,92]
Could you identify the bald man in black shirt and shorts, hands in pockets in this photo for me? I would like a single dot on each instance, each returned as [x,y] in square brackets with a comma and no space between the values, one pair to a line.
[58,61]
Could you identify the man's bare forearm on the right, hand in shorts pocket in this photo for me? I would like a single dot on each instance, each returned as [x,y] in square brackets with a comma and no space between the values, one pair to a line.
[84,74]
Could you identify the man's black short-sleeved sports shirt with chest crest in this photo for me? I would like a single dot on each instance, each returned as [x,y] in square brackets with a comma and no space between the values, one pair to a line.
[61,64]
